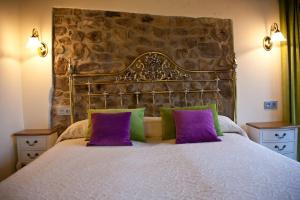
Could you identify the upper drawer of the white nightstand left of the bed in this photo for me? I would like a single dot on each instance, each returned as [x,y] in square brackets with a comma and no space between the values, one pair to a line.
[32,143]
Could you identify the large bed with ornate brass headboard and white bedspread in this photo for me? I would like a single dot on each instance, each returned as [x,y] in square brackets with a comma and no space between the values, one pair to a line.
[232,169]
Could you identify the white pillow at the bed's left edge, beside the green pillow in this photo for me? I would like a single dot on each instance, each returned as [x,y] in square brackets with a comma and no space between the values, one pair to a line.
[76,130]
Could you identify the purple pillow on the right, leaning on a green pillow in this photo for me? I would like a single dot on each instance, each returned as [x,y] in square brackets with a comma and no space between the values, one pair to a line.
[194,126]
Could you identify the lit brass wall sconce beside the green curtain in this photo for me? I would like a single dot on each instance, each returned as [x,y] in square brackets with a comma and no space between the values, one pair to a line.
[275,36]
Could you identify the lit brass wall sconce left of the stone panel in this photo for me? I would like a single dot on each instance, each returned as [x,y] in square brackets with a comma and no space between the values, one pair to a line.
[35,43]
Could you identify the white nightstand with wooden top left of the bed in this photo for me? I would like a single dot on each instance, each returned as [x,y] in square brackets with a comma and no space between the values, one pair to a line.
[33,142]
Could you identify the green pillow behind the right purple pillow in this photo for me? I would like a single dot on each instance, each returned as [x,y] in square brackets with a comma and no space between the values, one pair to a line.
[168,124]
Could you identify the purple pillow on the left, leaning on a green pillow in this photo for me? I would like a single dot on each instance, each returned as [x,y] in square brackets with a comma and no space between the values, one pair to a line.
[110,129]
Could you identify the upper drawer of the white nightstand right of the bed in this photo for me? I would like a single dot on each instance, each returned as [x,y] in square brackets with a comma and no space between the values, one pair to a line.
[279,135]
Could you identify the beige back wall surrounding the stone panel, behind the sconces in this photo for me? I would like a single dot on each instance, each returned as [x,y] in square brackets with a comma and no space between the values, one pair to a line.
[259,75]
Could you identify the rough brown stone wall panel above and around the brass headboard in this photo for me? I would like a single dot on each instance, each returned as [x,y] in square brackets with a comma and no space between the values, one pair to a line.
[105,42]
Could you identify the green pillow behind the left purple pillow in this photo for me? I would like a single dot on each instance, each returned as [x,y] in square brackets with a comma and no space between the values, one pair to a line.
[136,122]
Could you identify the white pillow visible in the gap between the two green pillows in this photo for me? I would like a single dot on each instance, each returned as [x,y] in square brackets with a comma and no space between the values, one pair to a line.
[152,127]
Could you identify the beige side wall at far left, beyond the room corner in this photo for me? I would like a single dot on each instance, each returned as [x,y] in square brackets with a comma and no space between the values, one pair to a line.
[11,111]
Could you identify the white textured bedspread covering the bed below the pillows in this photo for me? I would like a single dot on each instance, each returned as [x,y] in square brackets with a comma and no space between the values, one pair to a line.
[235,168]
